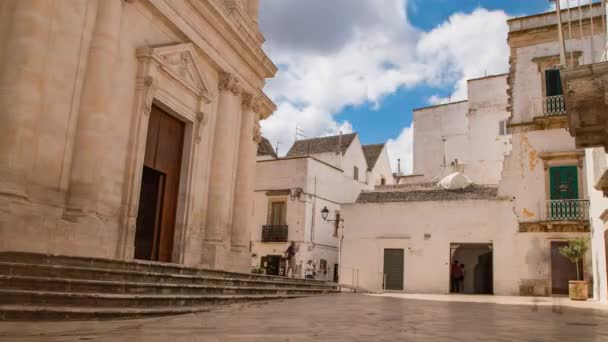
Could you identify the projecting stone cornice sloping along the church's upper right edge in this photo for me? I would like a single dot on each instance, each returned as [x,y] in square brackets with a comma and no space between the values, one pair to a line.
[235,33]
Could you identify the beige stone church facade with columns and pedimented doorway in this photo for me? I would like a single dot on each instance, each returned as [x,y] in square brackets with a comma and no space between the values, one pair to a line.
[130,128]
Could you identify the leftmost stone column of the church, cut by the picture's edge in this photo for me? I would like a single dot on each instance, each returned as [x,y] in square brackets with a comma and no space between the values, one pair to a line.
[21,92]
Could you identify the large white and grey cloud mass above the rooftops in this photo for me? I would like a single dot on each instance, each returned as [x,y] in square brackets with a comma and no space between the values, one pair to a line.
[348,62]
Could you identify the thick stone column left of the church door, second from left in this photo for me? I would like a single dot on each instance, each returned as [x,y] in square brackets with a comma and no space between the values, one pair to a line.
[94,130]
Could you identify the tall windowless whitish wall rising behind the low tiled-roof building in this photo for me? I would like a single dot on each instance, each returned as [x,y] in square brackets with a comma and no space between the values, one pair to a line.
[464,136]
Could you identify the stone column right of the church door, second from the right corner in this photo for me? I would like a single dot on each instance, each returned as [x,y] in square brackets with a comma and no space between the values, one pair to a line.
[223,165]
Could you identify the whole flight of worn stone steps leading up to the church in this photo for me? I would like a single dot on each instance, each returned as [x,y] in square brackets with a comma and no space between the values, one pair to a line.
[53,287]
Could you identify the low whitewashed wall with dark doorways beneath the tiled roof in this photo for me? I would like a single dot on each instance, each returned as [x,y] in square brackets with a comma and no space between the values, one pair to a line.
[519,259]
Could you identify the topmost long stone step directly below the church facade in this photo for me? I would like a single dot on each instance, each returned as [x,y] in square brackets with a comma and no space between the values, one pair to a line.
[135,265]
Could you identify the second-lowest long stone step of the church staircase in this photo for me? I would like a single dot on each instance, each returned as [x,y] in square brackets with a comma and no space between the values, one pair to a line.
[105,300]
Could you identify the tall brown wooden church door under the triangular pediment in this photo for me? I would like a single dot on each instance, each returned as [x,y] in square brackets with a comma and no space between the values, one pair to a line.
[159,187]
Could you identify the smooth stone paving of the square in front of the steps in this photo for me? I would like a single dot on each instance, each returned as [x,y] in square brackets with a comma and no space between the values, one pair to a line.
[344,317]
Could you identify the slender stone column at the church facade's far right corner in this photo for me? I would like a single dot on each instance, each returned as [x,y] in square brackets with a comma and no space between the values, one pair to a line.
[245,185]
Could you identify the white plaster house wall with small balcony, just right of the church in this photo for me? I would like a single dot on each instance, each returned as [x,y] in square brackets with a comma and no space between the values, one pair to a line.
[322,186]
